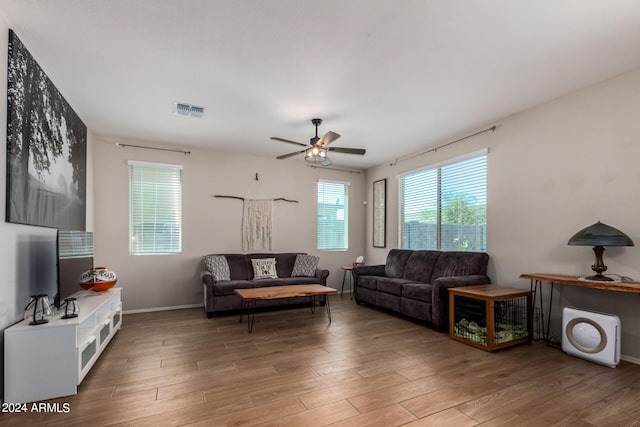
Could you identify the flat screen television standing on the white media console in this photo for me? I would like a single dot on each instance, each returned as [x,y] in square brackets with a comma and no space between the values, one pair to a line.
[75,256]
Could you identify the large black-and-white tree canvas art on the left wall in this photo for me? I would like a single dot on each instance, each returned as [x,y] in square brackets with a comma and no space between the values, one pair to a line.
[46,148]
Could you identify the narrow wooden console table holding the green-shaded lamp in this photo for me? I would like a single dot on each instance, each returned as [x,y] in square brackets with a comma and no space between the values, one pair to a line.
[536,289]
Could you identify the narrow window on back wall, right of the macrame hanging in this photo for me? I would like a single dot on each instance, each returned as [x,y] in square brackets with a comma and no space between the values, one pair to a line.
[333,215]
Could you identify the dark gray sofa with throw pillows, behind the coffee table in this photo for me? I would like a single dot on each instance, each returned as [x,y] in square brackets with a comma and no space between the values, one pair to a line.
[219,294]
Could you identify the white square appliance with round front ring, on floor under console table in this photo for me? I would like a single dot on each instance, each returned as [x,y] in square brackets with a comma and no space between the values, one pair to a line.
[591,335]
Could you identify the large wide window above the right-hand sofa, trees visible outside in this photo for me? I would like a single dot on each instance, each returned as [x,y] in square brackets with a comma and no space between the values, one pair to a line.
[445,208]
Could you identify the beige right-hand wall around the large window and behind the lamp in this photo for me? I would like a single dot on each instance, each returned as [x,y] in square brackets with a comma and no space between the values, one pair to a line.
[553,170]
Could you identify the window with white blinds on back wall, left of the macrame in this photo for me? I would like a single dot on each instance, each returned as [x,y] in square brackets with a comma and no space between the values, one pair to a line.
[155,199]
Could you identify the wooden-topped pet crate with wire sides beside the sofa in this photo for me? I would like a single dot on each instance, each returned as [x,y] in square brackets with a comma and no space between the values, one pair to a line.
[490,317]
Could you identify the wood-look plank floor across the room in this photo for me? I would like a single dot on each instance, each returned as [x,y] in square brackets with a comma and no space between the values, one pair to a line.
[367,368]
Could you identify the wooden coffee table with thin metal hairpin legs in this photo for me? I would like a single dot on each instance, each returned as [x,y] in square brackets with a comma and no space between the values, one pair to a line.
[250,296]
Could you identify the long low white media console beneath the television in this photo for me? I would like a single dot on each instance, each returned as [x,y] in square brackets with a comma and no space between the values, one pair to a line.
[50,360]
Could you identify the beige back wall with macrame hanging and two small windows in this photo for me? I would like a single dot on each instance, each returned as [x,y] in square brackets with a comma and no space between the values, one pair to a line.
[211,225]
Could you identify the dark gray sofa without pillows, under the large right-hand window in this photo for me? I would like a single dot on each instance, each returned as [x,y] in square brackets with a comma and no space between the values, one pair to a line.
[416,283]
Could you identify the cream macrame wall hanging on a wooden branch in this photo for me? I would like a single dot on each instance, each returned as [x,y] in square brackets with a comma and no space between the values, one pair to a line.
[257,220]
